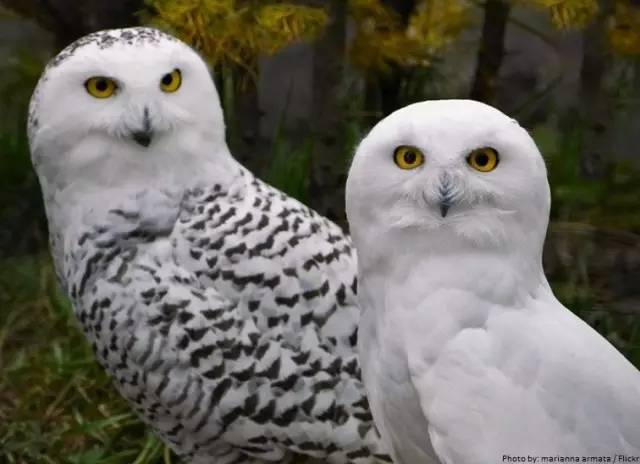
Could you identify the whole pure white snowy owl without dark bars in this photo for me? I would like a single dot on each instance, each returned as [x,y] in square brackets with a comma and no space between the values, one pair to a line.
[467,356]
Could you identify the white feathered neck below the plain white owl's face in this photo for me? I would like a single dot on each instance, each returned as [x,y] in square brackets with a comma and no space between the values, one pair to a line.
[413,266]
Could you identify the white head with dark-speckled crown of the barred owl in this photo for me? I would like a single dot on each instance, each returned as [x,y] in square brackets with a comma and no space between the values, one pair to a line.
[121,99]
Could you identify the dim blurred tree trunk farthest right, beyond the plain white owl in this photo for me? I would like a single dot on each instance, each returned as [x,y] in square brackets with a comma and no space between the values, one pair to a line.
[595,106]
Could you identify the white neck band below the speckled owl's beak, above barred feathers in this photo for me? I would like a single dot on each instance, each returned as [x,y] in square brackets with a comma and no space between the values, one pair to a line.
[108,167]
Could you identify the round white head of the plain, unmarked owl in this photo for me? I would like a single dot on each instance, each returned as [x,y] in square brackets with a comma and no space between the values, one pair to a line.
[447,169]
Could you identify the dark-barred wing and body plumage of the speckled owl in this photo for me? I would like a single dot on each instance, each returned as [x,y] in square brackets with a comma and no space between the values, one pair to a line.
[233,337]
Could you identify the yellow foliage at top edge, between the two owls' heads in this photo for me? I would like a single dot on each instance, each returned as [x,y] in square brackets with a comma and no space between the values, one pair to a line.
[382,40]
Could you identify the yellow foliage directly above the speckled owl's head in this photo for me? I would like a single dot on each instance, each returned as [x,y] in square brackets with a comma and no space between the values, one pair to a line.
[237,32]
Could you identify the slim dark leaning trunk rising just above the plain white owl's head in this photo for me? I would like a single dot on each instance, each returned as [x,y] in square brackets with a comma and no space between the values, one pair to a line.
[491,51]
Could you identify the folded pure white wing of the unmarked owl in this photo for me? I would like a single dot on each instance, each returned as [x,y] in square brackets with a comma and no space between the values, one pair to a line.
[537,381]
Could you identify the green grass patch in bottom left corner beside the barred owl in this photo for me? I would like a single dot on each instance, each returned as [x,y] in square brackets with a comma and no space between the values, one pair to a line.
[56,403]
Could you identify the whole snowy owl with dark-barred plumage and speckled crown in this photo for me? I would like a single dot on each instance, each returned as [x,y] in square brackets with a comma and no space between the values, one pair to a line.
[223,310]
